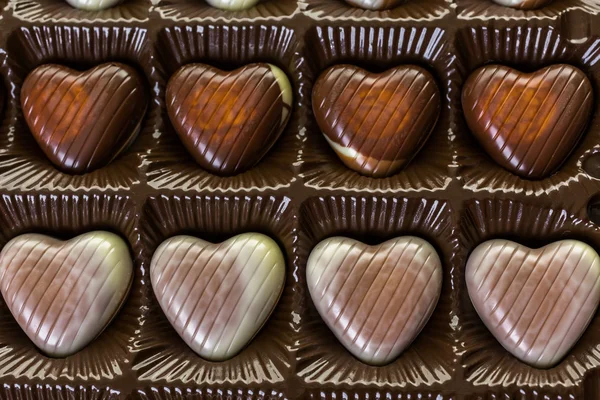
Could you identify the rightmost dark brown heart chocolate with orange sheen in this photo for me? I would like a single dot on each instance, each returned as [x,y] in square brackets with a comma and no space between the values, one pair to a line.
[528,122]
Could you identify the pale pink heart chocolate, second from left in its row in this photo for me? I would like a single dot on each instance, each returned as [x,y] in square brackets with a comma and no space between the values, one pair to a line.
[218,296]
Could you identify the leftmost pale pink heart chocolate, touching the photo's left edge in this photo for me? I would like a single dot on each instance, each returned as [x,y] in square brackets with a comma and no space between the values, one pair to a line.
[64,293]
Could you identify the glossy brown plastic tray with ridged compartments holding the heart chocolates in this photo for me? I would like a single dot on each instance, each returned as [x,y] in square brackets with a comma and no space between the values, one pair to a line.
[451,194]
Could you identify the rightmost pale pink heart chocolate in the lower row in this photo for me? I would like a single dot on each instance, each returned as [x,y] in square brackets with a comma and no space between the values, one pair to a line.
[536,302]
